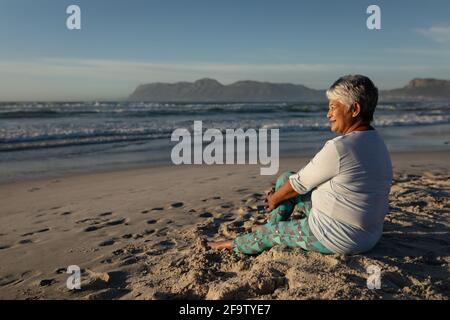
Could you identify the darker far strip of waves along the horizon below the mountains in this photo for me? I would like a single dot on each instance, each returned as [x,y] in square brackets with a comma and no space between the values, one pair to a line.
[155,110]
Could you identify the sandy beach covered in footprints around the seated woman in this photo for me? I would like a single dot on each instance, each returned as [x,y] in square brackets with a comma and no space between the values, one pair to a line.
[137,234]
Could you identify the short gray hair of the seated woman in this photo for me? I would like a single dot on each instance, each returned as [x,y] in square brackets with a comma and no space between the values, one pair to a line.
[356,88]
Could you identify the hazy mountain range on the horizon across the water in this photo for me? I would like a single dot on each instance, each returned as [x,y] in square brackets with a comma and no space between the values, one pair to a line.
[210,90]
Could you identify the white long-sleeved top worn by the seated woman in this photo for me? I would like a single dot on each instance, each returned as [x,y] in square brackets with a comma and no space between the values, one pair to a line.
[351,178]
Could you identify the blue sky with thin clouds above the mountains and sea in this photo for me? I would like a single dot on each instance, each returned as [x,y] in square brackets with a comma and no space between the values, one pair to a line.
[126,43]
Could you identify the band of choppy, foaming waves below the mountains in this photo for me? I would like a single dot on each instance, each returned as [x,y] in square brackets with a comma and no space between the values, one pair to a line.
[40,125]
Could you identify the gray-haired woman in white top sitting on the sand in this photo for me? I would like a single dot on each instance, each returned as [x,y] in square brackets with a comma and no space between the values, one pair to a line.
[343,190]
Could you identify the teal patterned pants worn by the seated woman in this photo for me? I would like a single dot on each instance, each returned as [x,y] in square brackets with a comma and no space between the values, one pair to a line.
[279,231]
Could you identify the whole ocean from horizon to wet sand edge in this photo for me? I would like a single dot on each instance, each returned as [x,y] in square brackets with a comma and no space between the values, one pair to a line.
[52,139]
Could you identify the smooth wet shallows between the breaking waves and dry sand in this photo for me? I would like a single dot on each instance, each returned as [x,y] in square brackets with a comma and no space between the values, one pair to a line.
[57,163]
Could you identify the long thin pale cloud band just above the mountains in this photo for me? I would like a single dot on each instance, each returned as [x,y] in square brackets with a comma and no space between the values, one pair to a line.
[136,71]
